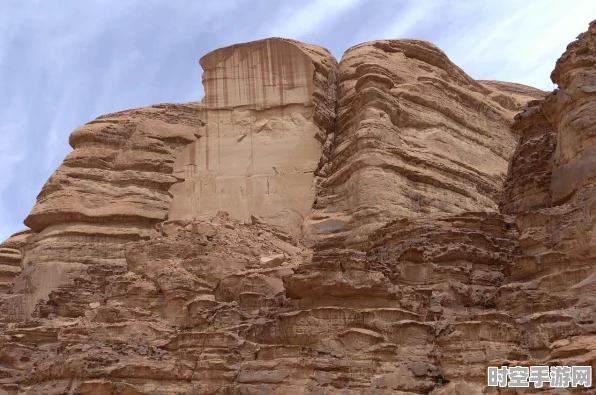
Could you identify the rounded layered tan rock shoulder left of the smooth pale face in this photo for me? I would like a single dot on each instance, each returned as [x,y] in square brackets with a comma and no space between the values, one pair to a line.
[110,190]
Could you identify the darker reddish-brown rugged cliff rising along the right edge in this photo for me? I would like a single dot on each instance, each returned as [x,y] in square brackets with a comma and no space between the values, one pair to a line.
[550,293]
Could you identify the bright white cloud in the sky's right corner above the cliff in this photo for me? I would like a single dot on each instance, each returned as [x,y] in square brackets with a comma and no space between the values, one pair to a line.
[511,40]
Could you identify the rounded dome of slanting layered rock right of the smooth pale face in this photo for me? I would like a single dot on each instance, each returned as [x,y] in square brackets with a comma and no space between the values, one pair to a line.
[415,137]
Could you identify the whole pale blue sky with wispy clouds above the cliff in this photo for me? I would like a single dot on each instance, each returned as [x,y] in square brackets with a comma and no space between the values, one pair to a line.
[65,62]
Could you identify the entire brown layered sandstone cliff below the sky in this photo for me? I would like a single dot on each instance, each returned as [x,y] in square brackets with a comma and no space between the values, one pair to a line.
[384,224]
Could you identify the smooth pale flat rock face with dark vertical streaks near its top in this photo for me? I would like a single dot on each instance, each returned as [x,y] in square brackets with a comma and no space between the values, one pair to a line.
[268,111]
